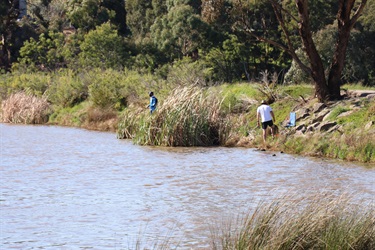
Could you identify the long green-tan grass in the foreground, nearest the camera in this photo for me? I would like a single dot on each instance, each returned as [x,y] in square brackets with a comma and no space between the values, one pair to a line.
[322,222]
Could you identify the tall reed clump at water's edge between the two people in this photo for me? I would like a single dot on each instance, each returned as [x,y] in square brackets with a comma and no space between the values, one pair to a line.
[188,117]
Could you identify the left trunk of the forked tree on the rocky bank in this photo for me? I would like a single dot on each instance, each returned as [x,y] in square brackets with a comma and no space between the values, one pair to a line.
[317,68]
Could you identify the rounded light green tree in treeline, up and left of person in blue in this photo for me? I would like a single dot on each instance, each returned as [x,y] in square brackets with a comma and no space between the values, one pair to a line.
[103,48]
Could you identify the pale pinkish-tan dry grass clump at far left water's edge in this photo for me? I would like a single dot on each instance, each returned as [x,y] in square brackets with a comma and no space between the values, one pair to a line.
[24,108]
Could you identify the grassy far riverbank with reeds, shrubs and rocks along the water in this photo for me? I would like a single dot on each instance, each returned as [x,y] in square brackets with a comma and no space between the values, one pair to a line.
[220,115]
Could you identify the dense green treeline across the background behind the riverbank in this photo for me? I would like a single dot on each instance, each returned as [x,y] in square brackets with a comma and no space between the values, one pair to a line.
[149,35]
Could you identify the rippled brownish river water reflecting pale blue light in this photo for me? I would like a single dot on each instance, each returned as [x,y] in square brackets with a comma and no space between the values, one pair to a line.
[66,188]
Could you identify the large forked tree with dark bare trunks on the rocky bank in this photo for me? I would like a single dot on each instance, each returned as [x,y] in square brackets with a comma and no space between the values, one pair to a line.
[326,88]
